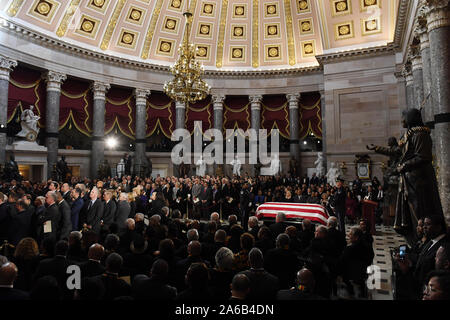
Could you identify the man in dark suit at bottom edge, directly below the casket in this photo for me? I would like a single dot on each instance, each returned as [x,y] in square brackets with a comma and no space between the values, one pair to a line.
[303,290]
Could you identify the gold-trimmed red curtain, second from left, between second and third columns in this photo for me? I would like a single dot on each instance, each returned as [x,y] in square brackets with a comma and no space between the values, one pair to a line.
[76,104]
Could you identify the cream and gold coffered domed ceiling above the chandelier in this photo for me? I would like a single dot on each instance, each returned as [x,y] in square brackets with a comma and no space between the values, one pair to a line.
[228,34]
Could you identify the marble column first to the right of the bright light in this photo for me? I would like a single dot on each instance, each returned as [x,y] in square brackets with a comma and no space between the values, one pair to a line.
[141,128]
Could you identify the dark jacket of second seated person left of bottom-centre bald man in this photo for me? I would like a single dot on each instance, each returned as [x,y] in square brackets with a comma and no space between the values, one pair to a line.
[153,288]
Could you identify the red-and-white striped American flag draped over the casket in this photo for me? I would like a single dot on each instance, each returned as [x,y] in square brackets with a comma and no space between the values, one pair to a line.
[293,211]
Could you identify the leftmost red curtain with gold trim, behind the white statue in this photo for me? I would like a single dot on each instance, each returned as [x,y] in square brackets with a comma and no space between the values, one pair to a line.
[26,88]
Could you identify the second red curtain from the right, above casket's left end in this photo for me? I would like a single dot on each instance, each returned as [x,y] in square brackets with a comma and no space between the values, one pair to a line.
[275,114]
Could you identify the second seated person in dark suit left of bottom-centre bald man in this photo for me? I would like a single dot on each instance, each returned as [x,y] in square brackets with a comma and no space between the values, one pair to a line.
[154,287]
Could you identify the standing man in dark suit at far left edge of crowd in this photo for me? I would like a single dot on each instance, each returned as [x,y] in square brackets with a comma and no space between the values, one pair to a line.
[20,224]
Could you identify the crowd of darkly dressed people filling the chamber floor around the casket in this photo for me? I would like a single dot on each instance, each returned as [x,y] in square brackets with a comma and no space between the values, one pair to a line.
[149,239]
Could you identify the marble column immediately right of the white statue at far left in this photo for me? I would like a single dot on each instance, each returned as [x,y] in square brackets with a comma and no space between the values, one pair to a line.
[54,81]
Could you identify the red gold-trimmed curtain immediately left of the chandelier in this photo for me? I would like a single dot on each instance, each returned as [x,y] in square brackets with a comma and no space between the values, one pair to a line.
[160,114]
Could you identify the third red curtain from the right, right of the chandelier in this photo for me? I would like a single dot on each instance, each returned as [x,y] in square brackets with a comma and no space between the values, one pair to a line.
[236,114]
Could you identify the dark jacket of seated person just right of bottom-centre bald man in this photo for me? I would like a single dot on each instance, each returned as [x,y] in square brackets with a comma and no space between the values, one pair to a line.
[263,285]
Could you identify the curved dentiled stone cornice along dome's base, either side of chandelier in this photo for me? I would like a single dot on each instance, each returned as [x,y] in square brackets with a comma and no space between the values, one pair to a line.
[33,35]
